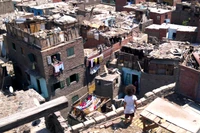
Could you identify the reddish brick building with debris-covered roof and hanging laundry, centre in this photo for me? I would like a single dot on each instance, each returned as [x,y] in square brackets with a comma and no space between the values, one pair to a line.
[104,35]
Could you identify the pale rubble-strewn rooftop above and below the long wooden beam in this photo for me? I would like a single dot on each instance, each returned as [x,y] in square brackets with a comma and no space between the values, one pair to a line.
[22,100]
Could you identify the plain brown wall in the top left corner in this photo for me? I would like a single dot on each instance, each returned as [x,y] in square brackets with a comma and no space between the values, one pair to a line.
[6,7]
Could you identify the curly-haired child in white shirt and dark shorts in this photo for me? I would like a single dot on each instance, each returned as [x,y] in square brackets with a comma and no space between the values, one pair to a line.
[130,104]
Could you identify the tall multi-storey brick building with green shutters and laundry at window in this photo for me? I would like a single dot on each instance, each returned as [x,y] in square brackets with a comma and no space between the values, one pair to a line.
[48,55]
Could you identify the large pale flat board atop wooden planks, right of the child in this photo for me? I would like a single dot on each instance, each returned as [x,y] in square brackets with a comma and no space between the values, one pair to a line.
[174,114]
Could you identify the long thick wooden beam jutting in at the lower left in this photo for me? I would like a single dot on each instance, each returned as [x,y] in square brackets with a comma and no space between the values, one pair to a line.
[32,114]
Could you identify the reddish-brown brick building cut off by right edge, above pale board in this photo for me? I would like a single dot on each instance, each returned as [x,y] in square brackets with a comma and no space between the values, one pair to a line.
[188,78]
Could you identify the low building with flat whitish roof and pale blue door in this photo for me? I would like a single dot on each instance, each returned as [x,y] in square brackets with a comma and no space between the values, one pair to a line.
[172,32]
